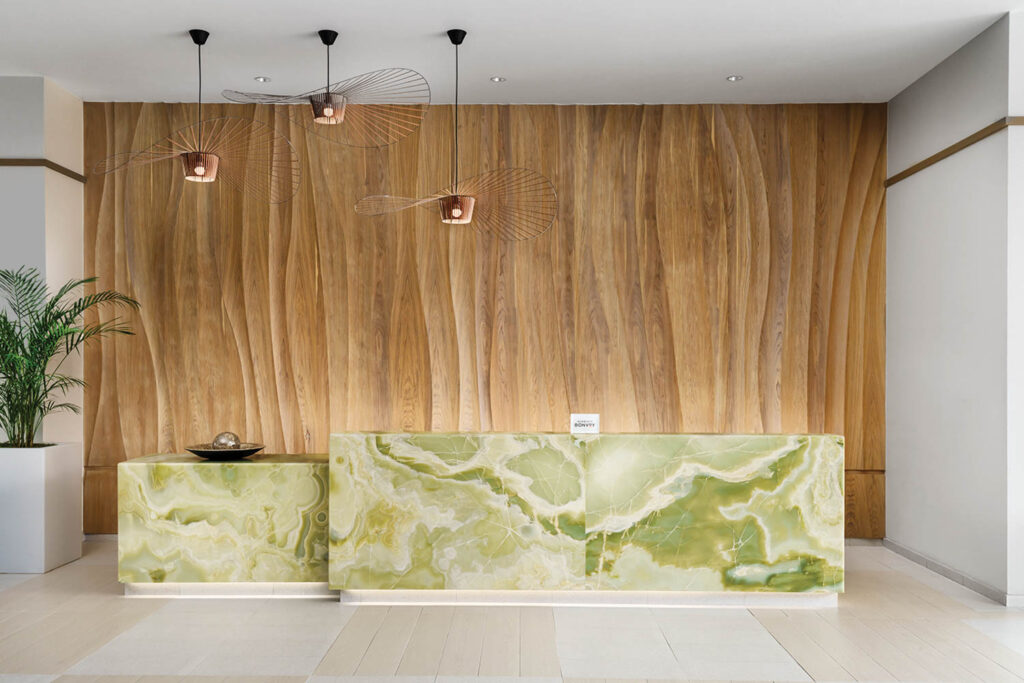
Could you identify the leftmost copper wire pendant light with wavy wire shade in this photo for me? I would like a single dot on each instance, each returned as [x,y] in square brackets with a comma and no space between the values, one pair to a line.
[250,156]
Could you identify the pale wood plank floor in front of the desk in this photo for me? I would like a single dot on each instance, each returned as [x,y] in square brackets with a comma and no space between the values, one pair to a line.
[898,622]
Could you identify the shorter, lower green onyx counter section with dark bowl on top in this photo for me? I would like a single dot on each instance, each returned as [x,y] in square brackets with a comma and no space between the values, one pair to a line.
[182,519]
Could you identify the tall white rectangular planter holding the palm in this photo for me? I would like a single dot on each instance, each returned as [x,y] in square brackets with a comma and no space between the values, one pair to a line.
[40,508]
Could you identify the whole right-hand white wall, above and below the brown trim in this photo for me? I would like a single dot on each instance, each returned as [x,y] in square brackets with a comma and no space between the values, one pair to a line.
[955,451]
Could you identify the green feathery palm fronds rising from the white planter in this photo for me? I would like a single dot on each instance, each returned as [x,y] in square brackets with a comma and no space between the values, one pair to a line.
[38,331]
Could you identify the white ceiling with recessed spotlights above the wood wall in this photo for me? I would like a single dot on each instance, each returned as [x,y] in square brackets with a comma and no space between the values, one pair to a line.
[561,52]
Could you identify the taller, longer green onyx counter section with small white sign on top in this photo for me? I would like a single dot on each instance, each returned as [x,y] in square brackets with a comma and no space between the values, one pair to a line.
[635,513]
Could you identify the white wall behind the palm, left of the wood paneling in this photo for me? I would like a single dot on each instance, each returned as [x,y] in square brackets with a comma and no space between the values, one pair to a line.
[44,209]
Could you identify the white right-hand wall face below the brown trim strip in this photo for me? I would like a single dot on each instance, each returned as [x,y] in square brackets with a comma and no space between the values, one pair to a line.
[946,360]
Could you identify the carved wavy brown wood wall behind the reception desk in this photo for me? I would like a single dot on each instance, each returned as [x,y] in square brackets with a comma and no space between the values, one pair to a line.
[713,269]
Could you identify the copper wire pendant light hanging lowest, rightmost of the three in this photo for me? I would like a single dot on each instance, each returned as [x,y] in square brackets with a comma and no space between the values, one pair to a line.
[509,203]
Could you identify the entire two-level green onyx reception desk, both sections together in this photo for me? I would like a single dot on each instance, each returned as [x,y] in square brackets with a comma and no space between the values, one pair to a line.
[407,514]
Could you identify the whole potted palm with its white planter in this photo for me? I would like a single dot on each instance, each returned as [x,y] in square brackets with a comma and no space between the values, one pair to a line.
[41,484]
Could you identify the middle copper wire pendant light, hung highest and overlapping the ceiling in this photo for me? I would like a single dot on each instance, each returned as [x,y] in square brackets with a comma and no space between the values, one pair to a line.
[373,110]
